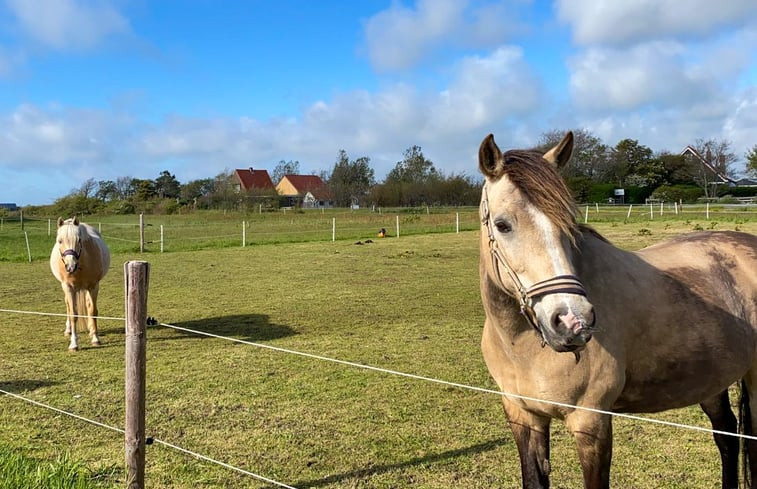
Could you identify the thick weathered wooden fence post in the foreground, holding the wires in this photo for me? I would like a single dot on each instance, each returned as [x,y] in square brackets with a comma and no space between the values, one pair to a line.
[136,281]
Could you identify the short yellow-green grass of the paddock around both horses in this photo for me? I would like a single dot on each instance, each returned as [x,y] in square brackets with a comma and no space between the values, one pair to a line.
[409,304]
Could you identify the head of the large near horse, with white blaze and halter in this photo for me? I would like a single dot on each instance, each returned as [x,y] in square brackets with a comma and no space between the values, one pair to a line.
[529,230]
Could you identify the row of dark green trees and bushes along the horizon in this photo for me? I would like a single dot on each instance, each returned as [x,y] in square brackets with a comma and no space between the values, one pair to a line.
[595,170]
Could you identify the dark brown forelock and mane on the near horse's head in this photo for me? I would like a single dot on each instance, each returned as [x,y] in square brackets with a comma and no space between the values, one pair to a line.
[543,187]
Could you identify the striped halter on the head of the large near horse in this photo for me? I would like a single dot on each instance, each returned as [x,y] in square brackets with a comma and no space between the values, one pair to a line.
[560,284]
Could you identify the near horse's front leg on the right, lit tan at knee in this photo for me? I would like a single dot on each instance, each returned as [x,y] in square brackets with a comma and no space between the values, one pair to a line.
[593,435]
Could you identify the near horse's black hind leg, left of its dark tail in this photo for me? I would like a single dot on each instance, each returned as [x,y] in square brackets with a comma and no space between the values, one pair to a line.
[718,409]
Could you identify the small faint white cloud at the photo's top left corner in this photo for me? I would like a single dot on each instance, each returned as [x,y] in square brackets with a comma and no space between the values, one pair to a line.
[68,24]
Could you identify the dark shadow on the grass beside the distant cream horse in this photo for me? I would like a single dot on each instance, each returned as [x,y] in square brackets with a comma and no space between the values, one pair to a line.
[248,327]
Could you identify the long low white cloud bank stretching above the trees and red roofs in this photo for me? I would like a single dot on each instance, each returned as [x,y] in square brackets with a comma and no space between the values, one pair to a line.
[485,93]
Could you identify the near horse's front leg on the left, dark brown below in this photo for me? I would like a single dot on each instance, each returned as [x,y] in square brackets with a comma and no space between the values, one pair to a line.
[531,433]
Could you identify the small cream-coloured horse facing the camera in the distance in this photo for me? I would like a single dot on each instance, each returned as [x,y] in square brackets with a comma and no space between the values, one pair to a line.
[79,260]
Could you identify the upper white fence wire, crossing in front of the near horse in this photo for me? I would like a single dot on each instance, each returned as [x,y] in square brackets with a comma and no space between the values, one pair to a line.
[430,379]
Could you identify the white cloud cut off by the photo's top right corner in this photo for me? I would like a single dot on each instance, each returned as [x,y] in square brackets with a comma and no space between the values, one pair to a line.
[626,22]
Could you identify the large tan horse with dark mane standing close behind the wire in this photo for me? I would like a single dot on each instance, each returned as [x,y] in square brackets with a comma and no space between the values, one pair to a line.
[672,325]
